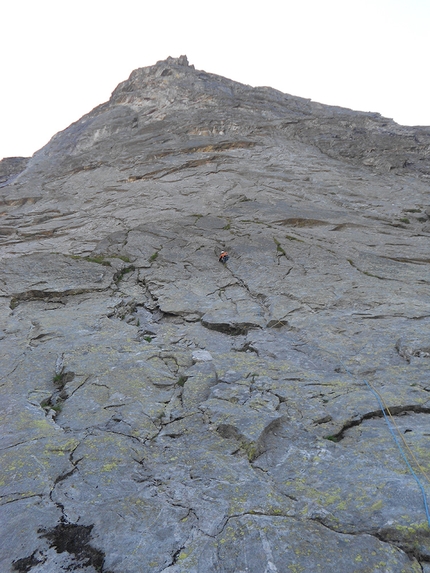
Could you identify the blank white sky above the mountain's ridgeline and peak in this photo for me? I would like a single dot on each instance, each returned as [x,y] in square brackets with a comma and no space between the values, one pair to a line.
[61,58]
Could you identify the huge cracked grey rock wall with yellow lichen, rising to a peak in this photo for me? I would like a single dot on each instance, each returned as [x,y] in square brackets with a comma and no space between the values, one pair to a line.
[162,412]
